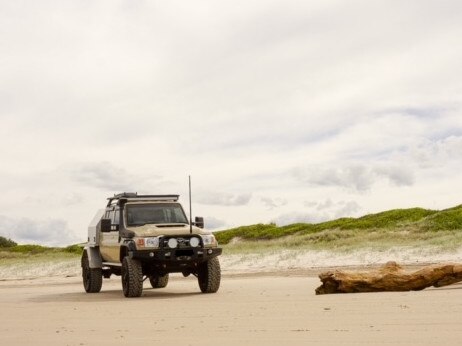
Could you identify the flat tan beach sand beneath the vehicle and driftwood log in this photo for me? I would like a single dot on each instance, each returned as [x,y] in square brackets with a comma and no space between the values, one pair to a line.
[270,309]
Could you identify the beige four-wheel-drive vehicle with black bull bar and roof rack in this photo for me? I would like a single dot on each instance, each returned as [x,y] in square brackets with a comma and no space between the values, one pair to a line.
[143,237]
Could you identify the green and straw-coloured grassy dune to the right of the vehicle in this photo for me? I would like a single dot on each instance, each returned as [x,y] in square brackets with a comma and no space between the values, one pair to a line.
[414,227]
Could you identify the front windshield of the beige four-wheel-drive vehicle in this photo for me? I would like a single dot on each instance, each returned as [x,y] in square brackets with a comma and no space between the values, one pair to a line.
[142,214]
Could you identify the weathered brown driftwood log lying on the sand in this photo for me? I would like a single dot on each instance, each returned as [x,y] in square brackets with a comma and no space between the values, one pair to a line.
[390,277]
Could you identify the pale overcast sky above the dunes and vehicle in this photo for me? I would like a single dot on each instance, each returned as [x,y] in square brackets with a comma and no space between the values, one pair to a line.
[281,111]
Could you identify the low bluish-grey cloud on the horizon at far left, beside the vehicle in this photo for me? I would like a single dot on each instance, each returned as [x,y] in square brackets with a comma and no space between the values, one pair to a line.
[52,232]
